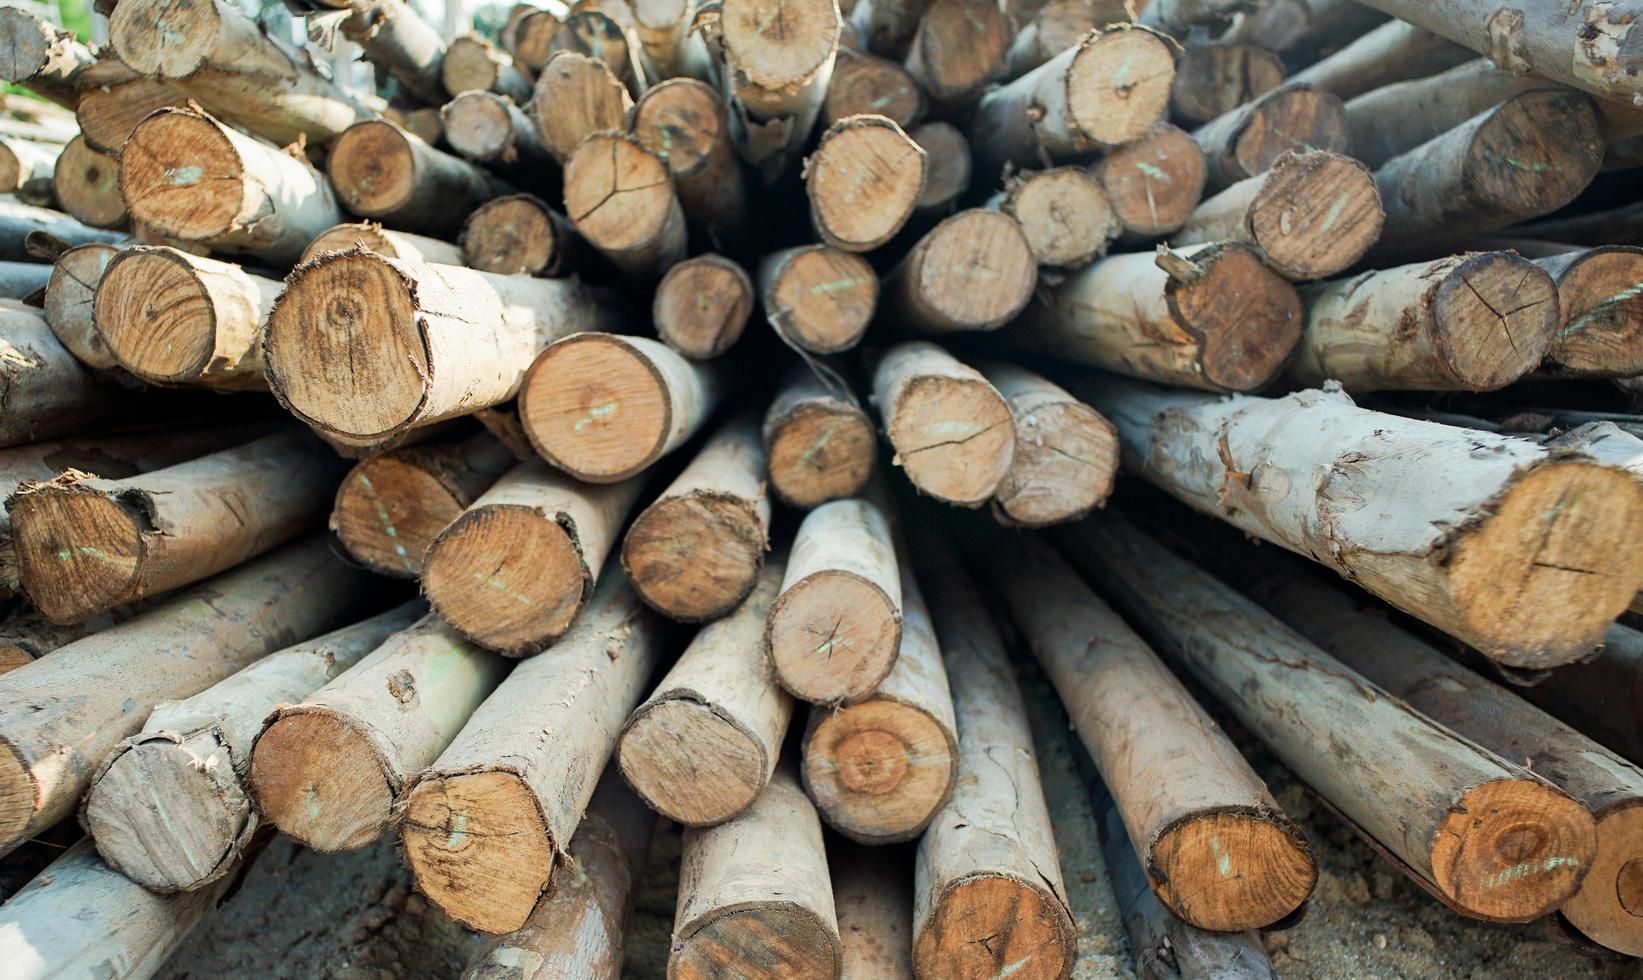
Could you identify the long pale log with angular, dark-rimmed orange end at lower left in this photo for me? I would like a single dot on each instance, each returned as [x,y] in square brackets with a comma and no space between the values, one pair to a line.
[486,830]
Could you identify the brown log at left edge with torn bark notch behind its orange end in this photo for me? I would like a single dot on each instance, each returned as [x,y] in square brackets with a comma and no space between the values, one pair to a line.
[86,545]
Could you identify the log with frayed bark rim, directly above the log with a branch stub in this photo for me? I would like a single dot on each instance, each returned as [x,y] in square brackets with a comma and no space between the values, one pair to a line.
[1312,216]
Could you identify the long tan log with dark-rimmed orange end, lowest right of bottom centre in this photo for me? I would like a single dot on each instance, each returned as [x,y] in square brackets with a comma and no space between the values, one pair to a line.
[1217,846]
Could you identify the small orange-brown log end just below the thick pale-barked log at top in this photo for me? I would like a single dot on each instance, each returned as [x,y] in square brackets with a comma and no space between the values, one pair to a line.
[1156,182]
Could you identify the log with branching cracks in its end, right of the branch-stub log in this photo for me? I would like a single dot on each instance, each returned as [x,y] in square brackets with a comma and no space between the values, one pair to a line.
[1435,326]
